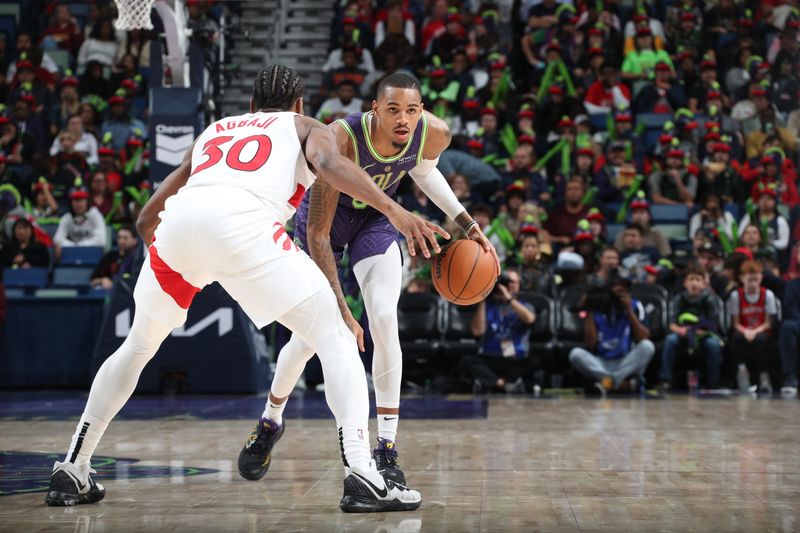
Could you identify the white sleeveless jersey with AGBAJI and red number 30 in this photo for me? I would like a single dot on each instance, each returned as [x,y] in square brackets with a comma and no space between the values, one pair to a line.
[258,152]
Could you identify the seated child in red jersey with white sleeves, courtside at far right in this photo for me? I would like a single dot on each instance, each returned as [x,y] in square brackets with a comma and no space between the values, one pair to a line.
[752,309]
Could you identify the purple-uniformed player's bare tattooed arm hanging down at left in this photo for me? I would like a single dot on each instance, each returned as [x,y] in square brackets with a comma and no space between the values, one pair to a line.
[321,210]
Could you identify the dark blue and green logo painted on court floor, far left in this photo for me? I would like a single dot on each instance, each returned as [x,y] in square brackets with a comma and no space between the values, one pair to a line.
[26,472]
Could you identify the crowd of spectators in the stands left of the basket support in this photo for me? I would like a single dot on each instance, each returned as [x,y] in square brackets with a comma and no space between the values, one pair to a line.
[74,147]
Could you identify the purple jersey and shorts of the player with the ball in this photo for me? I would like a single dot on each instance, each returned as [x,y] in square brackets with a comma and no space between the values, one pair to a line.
[364,230]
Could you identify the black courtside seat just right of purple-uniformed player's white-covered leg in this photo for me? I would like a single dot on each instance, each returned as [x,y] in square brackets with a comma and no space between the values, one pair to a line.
[418,324]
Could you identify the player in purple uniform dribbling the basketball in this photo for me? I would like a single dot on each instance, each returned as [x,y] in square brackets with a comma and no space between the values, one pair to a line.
[395,139]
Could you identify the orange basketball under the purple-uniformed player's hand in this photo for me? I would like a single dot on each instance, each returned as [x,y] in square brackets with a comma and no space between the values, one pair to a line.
[464,273]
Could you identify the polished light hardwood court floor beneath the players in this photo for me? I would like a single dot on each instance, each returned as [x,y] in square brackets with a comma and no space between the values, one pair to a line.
[568,464]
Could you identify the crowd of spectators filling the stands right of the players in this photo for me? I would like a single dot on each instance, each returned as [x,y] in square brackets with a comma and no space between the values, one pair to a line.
[654,142]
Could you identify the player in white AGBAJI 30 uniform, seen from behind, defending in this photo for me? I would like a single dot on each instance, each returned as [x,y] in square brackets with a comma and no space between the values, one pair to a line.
[221,219]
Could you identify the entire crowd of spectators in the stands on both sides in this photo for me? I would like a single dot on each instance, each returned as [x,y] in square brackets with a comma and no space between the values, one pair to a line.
[577,126]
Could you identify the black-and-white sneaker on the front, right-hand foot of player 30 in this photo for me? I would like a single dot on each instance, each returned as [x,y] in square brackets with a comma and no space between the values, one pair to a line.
[366,491]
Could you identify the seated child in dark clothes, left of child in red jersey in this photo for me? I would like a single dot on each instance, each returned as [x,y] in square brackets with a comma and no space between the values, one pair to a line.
[693,323]
